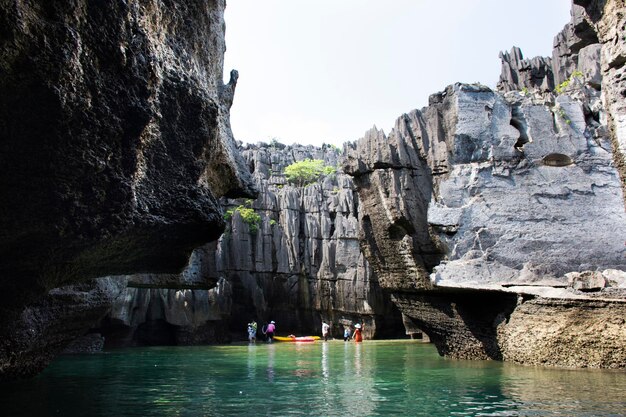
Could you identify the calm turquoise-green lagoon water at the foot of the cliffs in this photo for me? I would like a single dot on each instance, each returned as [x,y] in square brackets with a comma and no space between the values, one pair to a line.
[374,378]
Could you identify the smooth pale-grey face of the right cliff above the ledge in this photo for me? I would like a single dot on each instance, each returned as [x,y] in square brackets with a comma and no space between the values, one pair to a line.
[518,210]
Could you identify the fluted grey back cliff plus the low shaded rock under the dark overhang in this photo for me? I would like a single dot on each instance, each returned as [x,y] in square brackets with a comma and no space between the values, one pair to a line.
[301,264]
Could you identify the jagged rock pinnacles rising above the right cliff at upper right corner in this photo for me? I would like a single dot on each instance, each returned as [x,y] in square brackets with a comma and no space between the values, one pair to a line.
[589,50]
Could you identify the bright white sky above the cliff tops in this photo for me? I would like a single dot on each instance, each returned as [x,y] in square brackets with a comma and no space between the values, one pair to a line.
[315,71]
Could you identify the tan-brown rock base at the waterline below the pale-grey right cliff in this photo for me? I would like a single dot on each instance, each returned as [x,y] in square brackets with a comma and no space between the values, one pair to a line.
[565,332]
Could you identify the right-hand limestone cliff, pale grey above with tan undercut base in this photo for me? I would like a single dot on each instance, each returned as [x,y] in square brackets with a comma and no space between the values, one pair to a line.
[497,219]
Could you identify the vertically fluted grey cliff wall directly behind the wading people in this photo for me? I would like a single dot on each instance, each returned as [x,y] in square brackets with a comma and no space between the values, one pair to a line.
[305,256]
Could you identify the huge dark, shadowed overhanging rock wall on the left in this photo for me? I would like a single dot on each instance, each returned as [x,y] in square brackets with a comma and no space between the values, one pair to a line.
[116,144]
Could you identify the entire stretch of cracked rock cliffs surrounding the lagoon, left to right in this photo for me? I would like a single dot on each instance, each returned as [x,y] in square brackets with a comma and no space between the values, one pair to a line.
[494,220]
